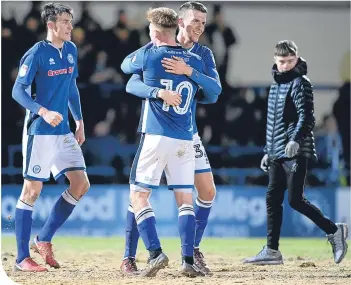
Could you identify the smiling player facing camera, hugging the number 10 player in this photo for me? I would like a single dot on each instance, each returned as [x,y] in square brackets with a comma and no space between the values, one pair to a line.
[192,20]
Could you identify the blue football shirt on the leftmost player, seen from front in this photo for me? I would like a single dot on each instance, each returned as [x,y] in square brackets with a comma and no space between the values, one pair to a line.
[53,70]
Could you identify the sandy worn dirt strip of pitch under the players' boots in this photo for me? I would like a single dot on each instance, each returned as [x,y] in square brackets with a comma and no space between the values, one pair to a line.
[102,268]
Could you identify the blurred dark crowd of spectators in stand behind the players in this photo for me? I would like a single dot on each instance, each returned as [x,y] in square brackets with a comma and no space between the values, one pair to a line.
[233,129]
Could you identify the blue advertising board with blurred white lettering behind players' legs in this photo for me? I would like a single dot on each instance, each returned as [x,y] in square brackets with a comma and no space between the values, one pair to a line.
[239,211]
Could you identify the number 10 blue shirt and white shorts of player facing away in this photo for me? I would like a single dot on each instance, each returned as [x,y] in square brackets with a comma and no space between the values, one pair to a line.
[168,130]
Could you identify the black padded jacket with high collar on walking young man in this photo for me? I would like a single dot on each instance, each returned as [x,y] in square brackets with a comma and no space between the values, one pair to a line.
[290,115]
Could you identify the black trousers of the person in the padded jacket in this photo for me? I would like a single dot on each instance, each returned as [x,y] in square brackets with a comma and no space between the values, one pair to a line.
[290,174]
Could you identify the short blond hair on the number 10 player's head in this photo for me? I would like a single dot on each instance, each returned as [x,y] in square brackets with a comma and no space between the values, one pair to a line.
[162,17]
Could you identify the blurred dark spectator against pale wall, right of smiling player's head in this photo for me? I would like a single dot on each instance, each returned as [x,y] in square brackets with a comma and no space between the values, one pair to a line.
[220,38]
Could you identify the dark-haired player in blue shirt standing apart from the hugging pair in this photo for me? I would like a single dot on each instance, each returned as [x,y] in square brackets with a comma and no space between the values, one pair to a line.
[48,144]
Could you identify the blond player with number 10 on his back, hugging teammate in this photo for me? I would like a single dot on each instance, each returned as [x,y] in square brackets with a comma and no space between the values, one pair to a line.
[166,142]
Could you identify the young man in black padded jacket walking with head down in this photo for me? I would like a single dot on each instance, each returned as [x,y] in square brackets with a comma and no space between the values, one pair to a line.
[289,147]
